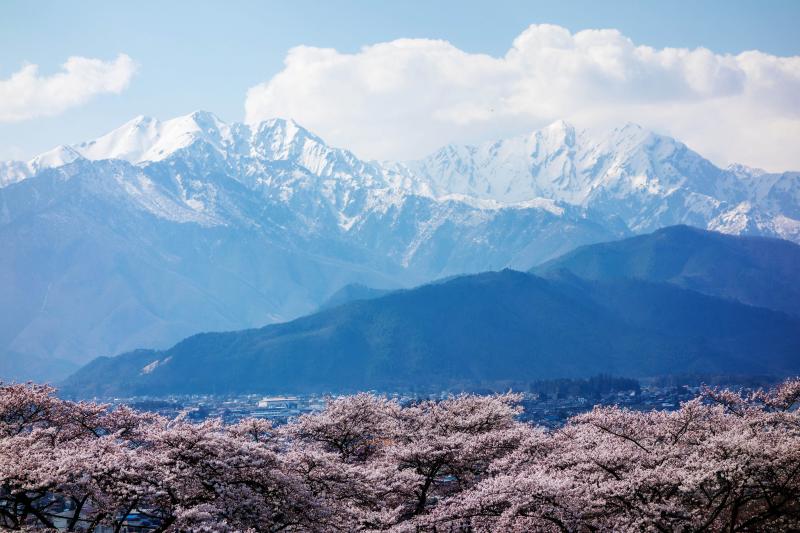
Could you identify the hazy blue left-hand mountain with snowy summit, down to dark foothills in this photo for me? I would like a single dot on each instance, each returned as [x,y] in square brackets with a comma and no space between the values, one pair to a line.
[221,227]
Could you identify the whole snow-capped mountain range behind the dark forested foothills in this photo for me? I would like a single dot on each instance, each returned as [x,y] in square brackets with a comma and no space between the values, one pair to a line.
[158,230]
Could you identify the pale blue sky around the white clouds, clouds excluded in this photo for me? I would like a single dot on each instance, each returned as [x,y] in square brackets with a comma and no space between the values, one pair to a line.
[206,55]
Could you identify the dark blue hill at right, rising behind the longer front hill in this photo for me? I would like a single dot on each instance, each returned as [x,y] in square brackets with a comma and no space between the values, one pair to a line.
[754,270]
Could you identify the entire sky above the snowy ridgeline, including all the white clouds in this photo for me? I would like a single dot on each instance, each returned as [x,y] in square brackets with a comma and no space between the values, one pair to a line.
[395,80]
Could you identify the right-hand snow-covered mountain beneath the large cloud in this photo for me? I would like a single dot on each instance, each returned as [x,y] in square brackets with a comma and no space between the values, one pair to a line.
[646,179]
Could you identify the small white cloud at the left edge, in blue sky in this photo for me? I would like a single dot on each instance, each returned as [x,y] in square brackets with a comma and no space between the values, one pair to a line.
[27,94]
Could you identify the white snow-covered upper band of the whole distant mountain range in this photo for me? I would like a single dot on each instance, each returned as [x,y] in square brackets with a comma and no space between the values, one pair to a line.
[645,179]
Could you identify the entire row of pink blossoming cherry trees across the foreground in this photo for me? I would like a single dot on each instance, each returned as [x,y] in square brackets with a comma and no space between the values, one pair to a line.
[726,460]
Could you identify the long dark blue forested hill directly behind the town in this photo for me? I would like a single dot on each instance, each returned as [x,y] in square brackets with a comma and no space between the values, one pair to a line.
[483,328]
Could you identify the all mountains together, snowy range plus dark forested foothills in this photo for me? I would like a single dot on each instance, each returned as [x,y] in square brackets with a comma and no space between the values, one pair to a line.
[476,265]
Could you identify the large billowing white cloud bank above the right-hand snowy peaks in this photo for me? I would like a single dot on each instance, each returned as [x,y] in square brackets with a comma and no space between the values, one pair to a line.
[405,98]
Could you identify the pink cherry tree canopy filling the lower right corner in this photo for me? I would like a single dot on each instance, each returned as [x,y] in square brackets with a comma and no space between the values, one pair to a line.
[721,462]
